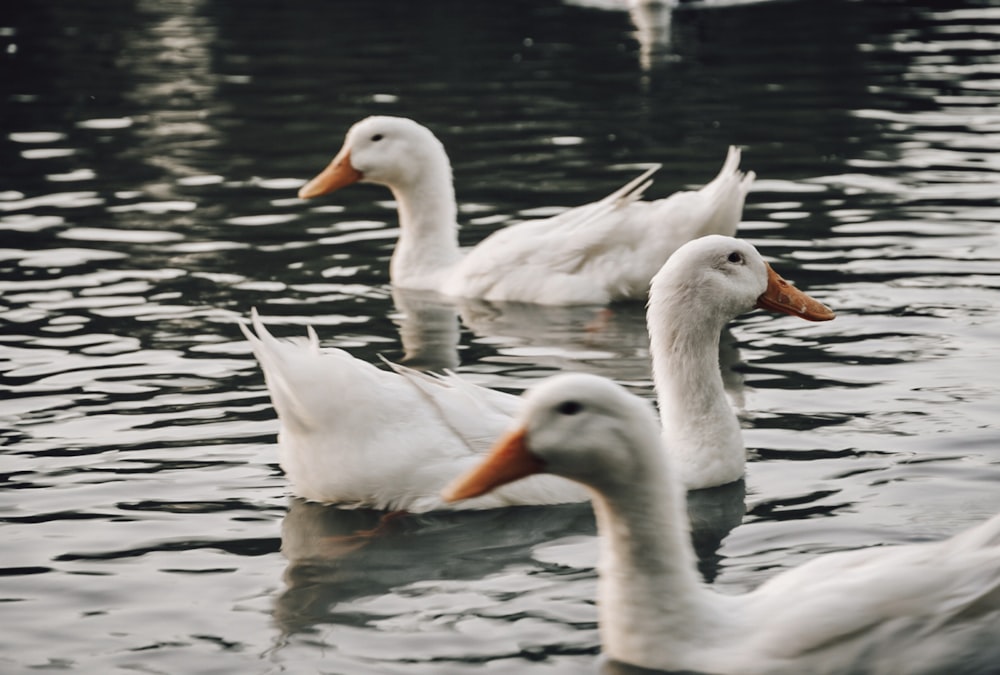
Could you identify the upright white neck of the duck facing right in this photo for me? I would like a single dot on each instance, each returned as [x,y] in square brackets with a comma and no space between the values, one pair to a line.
[700,429]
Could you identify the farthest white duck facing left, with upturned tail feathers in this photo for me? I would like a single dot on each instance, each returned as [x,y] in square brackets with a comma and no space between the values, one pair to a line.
[593,254]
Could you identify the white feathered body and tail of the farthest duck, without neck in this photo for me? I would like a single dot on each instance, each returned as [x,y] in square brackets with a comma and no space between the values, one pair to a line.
[604,251]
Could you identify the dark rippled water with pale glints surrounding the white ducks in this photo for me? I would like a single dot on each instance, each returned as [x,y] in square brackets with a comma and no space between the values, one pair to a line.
[151,153]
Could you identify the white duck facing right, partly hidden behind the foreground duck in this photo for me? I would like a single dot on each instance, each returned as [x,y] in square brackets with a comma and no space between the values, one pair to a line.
[356,434]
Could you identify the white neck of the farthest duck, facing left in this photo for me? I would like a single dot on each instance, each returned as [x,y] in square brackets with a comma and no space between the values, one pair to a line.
[428,228]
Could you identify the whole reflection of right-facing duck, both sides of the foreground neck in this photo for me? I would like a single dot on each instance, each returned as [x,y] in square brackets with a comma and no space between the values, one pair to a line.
[339,557]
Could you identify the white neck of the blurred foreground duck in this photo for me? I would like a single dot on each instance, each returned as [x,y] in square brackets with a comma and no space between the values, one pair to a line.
[652,605]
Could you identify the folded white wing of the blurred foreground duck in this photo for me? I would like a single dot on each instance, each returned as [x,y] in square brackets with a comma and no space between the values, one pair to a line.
[912,608]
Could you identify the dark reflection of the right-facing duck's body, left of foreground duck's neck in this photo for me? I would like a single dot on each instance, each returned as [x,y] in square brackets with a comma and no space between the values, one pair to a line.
[337,558]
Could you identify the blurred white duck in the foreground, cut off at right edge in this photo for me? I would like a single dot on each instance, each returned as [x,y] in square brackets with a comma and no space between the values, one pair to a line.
[920,608]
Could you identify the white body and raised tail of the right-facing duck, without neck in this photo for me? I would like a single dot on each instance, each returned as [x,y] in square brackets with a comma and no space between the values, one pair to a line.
[360,436]
